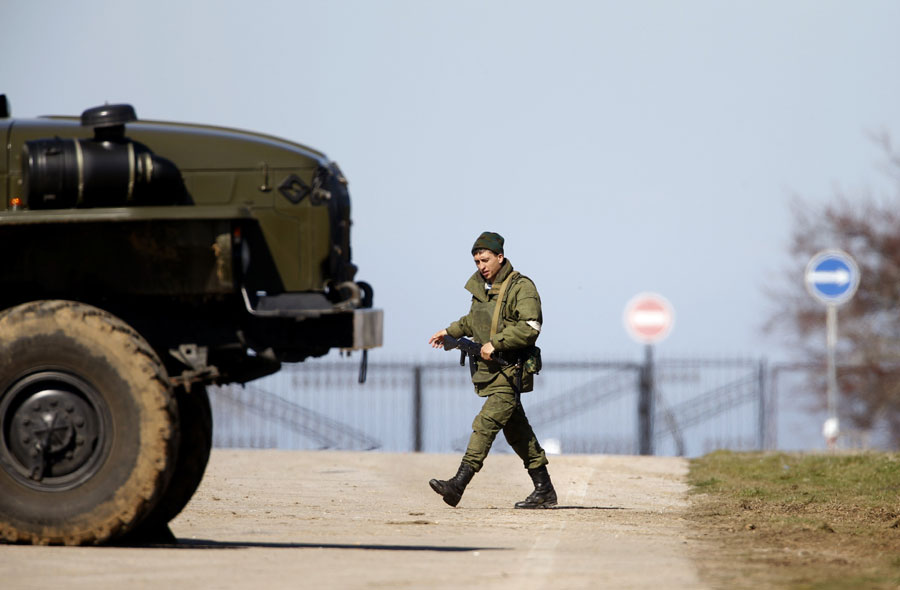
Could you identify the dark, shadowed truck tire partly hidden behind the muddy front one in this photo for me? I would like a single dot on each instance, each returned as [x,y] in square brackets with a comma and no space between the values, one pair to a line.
[195,445]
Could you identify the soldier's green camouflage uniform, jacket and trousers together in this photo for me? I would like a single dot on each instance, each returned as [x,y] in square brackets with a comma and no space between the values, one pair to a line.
[517,331]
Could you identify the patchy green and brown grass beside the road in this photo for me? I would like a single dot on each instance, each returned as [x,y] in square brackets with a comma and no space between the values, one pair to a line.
[797,521]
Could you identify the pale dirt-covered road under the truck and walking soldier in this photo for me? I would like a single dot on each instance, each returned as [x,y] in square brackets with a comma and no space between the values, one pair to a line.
[289,519]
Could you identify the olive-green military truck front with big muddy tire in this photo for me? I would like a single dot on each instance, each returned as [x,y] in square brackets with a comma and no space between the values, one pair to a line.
[143,261]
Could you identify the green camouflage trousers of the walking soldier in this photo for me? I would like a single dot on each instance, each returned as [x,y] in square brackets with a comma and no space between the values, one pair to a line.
[501,411]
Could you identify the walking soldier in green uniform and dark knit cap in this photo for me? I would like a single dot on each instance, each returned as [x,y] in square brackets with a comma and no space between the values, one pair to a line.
[506,316]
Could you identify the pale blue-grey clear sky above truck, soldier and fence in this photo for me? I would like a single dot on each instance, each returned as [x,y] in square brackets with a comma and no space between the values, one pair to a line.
[618,146]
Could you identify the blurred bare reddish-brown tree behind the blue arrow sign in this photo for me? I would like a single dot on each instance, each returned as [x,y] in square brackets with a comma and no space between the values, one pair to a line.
[868,353]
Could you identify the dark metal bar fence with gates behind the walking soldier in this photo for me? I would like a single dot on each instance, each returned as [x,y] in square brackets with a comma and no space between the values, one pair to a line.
[585,407]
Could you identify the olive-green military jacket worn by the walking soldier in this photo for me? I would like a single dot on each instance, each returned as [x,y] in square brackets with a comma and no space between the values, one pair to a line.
[517,330]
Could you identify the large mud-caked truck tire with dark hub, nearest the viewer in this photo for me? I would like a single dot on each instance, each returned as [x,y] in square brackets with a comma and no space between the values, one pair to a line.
[88,425]
